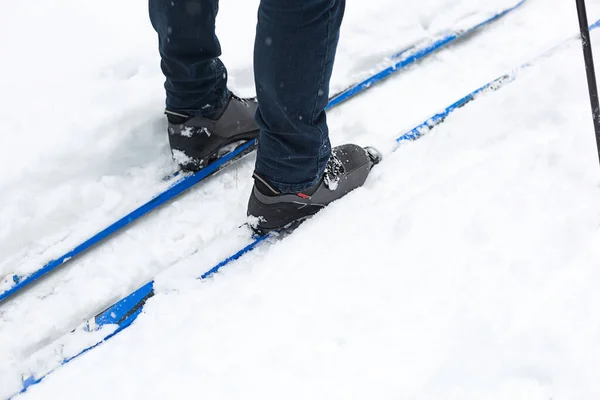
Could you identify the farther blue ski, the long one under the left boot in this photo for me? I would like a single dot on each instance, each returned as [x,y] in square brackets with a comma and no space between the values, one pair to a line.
[398,62]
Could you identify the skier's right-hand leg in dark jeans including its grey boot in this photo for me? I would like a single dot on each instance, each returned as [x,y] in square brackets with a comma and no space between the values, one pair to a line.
[297,173]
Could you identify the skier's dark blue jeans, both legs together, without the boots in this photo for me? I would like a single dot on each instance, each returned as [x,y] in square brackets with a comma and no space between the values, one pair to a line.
[294,51]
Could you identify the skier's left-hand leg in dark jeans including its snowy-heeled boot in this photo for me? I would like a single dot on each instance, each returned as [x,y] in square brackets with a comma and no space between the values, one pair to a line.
[203,115]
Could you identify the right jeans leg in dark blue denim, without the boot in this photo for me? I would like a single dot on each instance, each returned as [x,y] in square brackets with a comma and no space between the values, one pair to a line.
[294,52]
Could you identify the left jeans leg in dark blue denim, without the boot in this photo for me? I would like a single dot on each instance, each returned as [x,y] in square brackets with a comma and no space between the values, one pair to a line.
[196,80]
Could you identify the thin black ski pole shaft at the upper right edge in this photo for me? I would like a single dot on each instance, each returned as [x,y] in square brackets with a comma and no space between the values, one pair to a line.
[589,67]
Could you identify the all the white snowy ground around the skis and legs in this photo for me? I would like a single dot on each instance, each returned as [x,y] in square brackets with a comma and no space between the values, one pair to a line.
[465,269]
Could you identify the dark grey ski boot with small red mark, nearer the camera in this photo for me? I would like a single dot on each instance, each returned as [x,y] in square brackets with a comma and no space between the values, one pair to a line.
[347,169]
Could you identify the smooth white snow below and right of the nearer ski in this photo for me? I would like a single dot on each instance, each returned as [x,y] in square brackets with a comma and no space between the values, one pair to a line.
[501,307]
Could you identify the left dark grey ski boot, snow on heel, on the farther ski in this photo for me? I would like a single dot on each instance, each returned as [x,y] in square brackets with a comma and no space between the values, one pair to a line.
[196,141]
